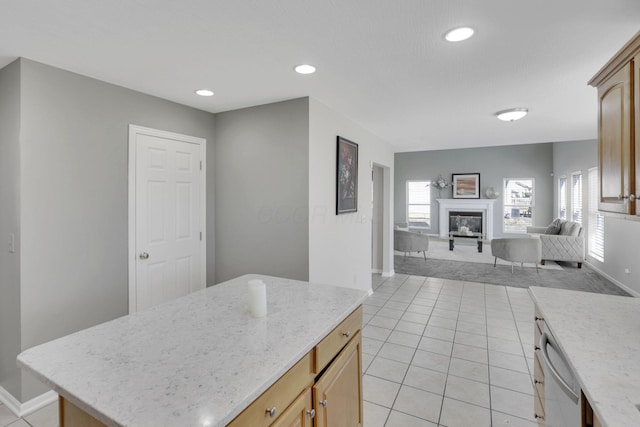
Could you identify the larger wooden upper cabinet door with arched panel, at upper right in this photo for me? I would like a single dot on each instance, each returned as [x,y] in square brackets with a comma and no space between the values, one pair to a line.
[617,178]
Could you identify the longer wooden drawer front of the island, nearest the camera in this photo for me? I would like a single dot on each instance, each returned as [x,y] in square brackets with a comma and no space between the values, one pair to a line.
[280,395]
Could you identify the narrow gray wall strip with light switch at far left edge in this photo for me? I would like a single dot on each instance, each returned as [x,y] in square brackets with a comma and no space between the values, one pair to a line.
[10,223]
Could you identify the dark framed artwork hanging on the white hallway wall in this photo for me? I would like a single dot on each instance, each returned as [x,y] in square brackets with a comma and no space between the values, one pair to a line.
[347,176]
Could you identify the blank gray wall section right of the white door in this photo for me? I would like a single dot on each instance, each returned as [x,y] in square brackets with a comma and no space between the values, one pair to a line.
[262,191]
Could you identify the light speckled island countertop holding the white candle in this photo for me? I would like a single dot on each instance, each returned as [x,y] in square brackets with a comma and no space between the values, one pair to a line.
[195,361]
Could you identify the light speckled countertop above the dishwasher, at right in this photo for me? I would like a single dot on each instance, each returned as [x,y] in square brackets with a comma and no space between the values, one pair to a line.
[600,336]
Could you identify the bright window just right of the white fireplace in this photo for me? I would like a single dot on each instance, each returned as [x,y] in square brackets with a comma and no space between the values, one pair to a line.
[518,205]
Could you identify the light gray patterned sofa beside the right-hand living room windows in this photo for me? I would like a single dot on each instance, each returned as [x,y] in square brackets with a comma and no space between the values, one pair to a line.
[561,241]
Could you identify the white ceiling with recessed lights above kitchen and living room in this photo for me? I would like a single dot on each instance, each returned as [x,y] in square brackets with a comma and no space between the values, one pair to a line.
[382,63]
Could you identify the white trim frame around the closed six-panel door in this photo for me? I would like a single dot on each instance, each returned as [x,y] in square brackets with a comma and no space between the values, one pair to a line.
[134,131]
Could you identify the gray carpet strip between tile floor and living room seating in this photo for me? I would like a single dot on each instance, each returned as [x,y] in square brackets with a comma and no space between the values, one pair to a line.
[571,277]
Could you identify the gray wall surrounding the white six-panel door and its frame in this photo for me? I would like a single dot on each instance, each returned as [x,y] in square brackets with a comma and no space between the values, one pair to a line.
[74,148]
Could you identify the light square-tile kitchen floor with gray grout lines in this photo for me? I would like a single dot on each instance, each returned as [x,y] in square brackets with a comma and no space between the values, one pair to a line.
[436,352]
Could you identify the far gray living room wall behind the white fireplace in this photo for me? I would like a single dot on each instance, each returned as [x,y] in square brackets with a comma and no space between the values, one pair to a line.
[493,164]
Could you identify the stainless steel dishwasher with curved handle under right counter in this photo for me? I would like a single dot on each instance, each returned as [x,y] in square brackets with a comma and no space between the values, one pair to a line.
[561,389]
